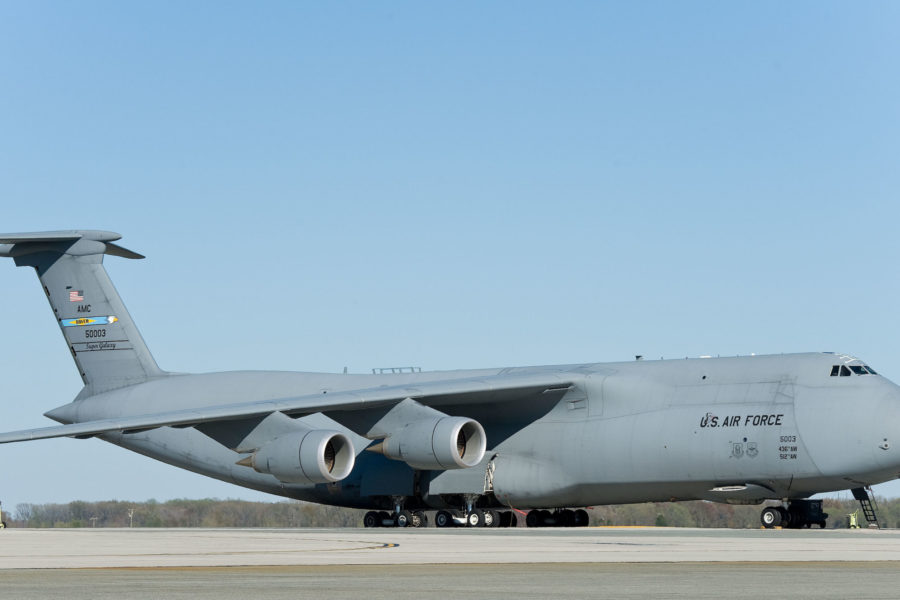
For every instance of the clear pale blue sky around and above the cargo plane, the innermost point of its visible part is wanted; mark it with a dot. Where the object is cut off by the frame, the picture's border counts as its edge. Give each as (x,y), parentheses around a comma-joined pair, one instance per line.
(320,185)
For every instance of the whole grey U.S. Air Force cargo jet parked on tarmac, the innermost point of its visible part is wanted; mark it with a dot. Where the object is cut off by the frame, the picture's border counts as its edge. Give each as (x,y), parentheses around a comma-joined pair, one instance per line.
(472,445)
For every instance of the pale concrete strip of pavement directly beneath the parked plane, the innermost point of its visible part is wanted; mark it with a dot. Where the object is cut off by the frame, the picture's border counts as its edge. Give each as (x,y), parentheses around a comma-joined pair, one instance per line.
(80,548)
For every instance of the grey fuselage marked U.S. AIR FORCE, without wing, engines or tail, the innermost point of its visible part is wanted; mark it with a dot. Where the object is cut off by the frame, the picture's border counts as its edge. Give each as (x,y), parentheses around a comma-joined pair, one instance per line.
(740,430)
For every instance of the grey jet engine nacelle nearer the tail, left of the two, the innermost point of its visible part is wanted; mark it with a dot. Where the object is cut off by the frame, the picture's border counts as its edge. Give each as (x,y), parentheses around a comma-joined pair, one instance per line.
(313,456)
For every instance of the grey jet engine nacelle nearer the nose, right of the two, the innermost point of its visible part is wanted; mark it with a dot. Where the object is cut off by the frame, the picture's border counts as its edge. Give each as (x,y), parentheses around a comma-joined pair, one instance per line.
(438,444)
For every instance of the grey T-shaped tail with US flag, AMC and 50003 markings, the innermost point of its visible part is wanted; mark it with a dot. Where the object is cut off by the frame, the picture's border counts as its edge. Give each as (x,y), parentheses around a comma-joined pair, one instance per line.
(107,347)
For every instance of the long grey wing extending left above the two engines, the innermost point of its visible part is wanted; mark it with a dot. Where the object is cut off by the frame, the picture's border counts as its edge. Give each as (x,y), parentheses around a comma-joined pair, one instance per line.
(432,393)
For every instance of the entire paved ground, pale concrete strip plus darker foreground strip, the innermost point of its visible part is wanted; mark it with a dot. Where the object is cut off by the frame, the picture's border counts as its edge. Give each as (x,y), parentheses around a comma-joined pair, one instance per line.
(395,563)
